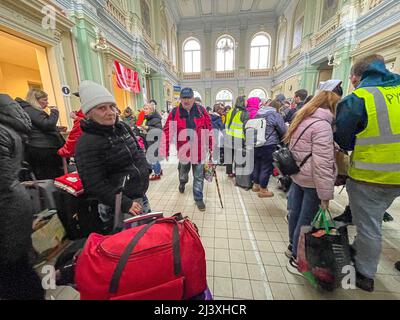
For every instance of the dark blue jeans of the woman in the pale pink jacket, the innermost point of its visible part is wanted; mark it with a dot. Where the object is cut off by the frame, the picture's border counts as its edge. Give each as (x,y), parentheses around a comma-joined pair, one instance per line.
(303,205)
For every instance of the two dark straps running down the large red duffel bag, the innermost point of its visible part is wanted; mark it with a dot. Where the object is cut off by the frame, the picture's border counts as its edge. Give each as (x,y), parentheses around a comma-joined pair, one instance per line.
(114,284)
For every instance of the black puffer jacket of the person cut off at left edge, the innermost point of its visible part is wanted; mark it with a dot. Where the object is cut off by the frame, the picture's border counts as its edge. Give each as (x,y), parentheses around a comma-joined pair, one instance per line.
(15,209)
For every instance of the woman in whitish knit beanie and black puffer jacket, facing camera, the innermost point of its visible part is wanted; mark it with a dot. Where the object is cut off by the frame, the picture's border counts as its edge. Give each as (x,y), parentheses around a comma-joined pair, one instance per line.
(107,152)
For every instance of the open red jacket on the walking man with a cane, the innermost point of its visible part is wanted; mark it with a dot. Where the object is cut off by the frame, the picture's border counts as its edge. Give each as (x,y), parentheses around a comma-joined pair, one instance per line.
(175,129)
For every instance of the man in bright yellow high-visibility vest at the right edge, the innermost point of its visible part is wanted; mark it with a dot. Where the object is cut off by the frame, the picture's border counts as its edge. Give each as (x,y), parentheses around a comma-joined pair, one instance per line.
(368,124)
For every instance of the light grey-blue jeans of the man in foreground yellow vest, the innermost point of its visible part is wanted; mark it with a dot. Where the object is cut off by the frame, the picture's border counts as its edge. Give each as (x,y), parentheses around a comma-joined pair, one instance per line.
(368,205)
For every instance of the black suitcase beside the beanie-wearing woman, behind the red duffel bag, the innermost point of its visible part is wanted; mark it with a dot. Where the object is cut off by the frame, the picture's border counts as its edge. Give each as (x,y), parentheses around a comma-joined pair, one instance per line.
(79,215)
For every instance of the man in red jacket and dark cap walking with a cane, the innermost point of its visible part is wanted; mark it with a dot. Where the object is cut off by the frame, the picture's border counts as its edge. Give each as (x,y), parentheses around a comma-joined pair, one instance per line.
(190,125)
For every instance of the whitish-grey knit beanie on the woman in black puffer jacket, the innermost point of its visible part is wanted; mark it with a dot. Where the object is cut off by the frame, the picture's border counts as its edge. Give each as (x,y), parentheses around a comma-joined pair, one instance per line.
(93,94)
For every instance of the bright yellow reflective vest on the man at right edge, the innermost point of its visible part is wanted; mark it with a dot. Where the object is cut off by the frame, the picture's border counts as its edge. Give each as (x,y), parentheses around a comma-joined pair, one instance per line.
(376,156)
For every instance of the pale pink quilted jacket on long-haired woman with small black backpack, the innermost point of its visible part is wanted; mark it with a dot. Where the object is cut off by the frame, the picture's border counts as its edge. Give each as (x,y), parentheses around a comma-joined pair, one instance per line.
(319,171)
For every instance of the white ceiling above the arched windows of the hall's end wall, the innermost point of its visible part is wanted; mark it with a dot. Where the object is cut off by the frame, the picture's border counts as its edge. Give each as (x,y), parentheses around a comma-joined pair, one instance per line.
(215,8)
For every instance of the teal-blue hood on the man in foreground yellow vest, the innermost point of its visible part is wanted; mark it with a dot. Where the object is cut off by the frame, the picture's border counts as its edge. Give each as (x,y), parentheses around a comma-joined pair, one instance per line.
(378,75)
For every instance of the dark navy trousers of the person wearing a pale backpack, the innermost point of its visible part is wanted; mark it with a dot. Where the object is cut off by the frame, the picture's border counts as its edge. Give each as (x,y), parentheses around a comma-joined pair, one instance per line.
(263,165)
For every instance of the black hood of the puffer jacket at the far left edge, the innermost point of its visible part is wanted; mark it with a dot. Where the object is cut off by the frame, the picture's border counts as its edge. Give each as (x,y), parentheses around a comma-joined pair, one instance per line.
(11,114)
